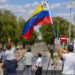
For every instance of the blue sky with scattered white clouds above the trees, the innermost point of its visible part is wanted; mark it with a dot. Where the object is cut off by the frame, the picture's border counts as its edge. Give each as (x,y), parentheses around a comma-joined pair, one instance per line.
(24,8)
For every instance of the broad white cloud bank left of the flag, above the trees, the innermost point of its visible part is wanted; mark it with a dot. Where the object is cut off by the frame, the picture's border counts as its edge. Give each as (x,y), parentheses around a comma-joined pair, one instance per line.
(21,10)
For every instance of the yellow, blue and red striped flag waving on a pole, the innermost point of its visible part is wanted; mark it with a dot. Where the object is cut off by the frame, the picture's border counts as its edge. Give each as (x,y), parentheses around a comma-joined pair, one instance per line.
(38,17)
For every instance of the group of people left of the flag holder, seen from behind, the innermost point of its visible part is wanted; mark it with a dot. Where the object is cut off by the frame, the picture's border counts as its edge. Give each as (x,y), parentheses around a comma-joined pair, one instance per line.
(9,63)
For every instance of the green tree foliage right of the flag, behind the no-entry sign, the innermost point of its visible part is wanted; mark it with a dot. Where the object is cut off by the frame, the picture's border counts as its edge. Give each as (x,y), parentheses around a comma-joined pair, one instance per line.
(47,30)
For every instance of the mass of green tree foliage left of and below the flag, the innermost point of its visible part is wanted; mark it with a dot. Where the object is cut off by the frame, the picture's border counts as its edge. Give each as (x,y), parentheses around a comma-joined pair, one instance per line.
(11,27)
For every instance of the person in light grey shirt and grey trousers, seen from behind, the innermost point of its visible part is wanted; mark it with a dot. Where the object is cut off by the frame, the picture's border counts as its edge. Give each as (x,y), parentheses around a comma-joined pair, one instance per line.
(28,60)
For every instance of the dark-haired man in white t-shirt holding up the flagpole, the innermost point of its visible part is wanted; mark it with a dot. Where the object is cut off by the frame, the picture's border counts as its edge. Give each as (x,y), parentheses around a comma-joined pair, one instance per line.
(69,59)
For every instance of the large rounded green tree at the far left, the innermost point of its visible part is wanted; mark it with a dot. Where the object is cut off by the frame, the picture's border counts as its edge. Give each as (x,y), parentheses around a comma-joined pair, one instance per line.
(9,26)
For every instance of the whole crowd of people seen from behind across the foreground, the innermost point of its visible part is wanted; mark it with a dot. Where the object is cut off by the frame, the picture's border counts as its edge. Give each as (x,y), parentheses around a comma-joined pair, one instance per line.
(9,63)
